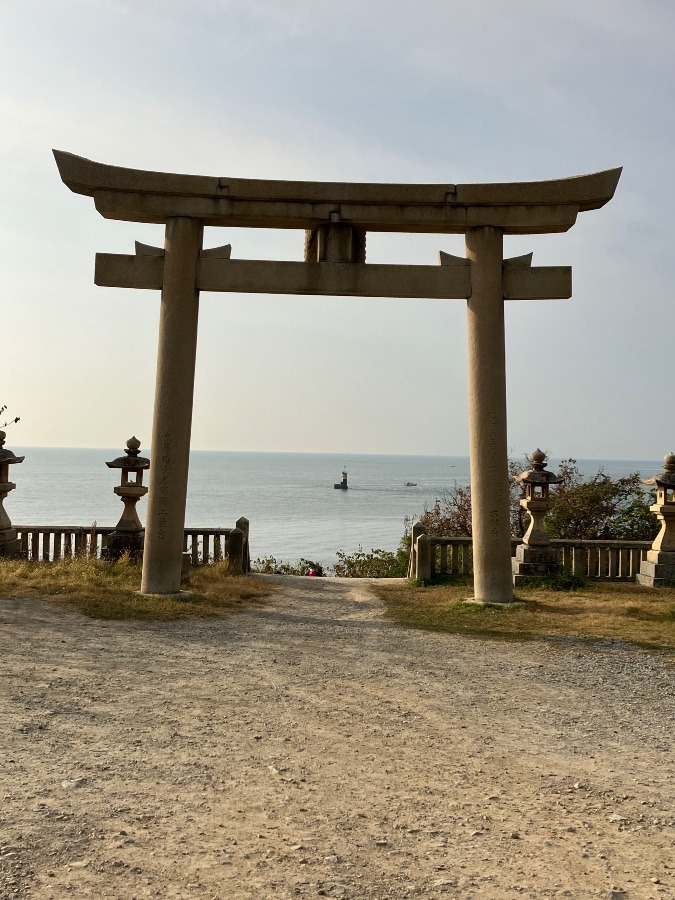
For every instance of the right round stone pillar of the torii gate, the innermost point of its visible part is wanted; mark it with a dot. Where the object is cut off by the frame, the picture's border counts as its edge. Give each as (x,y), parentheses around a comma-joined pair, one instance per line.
(487,417)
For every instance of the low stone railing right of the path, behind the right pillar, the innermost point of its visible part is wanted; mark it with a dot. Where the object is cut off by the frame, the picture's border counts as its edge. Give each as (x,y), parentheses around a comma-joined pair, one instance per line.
(595,560)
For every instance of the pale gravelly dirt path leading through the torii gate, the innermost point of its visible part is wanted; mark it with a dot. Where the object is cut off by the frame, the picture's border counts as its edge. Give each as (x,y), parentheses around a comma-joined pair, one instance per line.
(311,748)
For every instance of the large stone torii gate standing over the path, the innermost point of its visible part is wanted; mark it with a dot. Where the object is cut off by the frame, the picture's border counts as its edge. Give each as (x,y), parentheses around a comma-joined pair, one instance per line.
(335,217)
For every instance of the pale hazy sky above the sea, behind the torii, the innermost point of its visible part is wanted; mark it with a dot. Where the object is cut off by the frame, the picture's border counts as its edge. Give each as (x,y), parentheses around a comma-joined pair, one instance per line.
(362,90)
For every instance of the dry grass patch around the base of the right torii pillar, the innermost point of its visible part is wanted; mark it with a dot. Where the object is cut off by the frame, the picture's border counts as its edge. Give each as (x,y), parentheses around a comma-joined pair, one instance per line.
(624,612)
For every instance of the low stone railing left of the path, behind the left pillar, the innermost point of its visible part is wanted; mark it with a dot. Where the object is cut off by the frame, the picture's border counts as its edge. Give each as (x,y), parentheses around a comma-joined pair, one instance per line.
(203,545)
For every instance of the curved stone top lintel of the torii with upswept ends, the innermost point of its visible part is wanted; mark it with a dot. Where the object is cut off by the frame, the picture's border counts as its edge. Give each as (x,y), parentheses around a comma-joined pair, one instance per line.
(146,196)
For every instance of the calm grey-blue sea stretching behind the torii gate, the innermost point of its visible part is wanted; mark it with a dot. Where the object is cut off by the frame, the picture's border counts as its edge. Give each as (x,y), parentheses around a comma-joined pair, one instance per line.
(289,498)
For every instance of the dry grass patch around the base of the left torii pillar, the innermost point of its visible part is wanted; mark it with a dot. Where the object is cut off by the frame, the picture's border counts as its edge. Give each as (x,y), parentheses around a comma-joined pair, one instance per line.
(109,590)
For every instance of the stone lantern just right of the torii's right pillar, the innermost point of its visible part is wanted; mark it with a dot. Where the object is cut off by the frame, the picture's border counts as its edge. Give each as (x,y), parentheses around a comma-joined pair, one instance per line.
(535,557)
